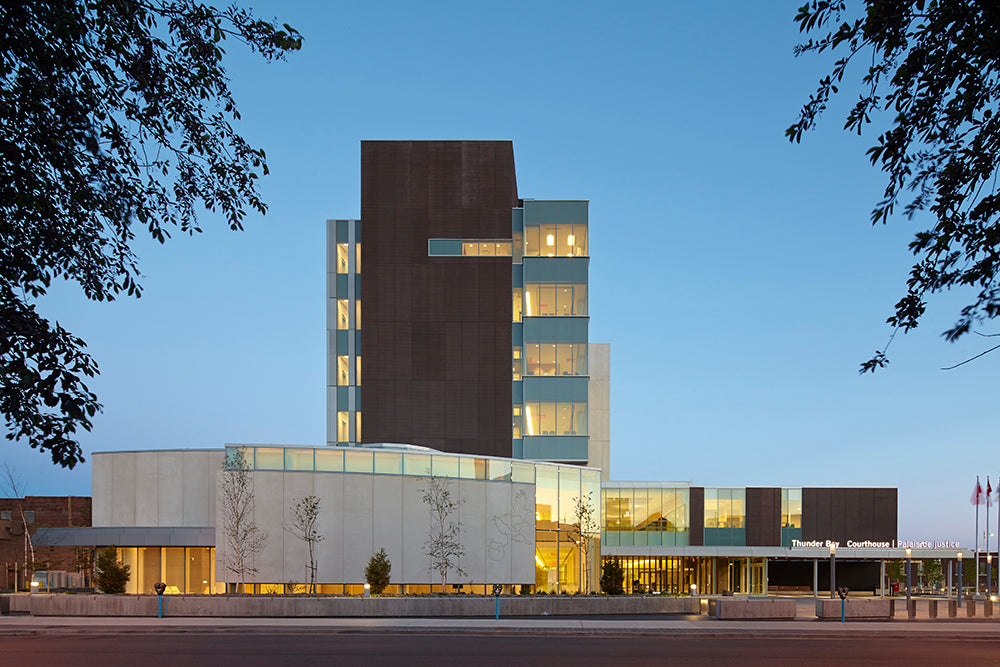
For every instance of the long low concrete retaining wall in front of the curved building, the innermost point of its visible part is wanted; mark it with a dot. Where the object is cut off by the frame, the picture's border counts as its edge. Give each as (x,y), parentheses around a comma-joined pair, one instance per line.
(261,606)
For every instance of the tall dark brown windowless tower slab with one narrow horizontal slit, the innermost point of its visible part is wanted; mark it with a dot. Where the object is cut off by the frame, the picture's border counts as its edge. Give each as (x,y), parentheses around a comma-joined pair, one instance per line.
(436,339)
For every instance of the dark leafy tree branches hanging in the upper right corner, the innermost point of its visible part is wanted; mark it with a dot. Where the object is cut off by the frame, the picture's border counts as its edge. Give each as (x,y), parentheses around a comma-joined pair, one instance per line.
(929,78)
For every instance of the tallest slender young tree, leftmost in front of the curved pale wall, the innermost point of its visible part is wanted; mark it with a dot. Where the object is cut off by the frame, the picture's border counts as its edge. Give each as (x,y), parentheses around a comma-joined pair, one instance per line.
(243,539)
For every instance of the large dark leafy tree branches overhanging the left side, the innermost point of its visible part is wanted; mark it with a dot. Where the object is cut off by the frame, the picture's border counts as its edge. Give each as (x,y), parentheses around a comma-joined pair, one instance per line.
(115,117)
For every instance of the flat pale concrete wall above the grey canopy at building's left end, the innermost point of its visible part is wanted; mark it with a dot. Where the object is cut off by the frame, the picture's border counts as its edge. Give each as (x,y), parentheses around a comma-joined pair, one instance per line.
(164,488)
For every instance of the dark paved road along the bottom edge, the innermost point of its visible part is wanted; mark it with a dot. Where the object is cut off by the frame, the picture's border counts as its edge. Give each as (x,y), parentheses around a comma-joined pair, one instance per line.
(413,649)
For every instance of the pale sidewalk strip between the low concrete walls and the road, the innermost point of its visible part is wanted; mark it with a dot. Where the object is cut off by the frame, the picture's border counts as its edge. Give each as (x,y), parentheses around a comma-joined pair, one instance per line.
(700,626)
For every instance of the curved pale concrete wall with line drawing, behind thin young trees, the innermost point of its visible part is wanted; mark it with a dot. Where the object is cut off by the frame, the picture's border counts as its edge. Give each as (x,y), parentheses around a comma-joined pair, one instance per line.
(359,514)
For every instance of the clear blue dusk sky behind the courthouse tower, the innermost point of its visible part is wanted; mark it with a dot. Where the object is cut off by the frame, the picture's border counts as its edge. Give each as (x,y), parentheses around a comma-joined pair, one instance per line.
(736,275)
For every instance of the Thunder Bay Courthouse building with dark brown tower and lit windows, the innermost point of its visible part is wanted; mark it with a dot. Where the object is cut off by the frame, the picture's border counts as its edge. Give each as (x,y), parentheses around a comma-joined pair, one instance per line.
(458,347)
